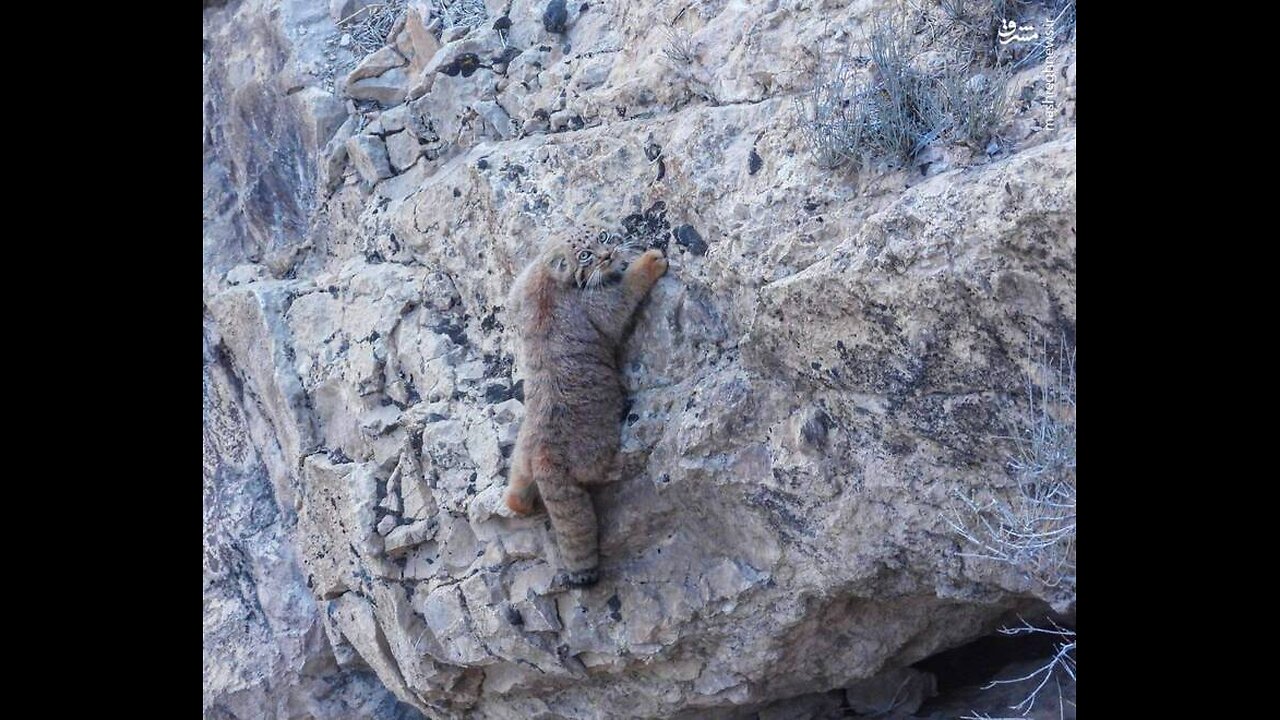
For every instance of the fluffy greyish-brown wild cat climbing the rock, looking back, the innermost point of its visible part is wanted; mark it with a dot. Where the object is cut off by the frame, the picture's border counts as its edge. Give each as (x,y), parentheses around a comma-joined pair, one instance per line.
(572,307)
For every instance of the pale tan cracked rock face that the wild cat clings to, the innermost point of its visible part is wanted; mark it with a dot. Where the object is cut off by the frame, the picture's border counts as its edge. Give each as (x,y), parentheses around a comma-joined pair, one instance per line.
(829,361)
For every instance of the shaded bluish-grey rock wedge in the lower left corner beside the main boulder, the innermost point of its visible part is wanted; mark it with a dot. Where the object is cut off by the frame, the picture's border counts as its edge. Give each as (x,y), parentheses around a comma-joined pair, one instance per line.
(266,649)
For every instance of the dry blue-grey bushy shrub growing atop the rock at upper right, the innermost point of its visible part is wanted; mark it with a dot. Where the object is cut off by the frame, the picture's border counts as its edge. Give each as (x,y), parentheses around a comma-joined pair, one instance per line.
(934,75)
